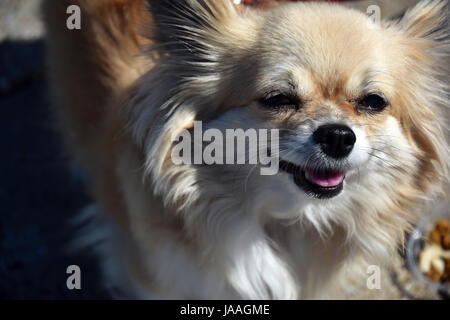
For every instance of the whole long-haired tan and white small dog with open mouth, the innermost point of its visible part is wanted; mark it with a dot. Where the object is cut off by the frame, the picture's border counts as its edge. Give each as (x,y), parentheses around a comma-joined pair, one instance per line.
(359,111)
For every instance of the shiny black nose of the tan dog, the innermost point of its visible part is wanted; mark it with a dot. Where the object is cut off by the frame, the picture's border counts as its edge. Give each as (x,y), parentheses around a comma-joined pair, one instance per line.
(336,140)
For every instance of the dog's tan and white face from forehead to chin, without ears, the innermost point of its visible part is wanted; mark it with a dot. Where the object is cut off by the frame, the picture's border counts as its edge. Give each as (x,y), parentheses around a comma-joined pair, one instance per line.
(326,78)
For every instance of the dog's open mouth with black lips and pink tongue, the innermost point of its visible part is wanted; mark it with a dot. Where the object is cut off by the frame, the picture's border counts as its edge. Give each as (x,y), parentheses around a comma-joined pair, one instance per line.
(318,183)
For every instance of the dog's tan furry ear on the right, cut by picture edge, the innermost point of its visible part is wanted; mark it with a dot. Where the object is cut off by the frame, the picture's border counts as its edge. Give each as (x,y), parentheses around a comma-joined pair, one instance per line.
(427,52)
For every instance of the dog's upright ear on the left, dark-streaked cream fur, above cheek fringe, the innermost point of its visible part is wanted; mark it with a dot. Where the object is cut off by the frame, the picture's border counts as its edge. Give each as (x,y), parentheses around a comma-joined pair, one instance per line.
(195,39)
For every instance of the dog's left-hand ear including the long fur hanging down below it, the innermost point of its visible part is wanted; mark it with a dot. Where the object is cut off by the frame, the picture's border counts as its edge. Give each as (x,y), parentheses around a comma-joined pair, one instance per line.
(195,40)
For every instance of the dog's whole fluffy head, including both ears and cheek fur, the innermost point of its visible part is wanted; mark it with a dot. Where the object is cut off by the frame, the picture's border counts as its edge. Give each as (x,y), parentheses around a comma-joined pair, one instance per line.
(356,105)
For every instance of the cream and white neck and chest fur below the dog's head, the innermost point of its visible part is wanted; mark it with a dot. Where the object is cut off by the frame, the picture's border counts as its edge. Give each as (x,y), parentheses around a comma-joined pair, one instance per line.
(252,259)
